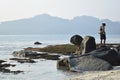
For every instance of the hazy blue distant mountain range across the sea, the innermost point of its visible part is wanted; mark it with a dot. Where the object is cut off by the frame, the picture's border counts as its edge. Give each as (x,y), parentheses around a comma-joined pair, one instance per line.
(46,24)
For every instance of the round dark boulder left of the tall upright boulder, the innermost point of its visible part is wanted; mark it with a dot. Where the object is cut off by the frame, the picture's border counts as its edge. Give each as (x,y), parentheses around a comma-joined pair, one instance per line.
(76,40)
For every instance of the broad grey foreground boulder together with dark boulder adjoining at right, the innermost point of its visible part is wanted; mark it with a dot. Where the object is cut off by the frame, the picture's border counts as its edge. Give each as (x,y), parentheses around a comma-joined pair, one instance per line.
(99,59)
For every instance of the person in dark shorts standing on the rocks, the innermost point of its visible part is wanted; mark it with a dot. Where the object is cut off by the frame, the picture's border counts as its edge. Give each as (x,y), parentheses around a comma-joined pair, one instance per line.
(102,34)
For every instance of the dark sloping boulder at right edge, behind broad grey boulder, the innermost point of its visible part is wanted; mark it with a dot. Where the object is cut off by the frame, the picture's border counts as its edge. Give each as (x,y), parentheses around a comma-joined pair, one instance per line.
(107,54)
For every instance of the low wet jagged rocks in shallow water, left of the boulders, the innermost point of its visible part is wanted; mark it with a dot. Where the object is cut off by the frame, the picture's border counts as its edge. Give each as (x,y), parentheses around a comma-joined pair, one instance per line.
(25,56)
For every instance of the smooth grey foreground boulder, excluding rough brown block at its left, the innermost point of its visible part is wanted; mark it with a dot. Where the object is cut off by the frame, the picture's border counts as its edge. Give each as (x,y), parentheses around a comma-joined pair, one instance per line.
(89,63)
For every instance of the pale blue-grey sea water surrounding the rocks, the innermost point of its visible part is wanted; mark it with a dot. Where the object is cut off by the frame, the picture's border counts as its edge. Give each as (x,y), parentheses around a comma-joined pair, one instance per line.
(43,69)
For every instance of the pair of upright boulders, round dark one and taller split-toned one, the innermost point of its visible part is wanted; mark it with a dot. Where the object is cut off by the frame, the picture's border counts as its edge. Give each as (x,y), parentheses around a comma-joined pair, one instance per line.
(84,45)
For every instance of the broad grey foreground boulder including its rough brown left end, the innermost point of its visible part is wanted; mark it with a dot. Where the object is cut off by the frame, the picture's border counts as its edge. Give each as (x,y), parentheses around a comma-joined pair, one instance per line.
(83,63)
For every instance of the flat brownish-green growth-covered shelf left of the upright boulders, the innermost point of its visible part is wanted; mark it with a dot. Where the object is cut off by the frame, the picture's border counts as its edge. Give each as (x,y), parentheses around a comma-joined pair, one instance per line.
(63,49)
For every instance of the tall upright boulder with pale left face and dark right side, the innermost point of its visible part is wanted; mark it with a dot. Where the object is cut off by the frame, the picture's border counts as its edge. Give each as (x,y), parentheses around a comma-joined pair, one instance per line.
(88,44)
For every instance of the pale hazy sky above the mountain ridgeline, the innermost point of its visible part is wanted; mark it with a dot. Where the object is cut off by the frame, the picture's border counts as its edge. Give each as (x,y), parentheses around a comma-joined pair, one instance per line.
(67,9)
